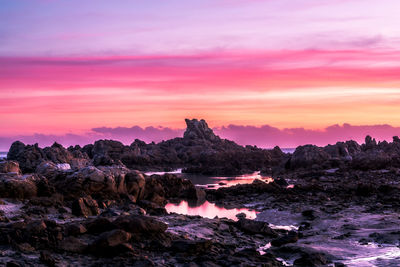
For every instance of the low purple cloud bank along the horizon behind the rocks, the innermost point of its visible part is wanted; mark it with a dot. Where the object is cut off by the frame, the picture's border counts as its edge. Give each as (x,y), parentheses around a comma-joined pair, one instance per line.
(265,136)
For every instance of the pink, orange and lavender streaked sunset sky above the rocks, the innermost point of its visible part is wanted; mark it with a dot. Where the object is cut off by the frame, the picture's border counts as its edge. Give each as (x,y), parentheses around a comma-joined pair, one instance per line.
(70,67)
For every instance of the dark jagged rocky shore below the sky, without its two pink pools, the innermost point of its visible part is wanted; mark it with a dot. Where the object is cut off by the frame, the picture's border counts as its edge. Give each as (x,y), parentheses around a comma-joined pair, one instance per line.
(94,206)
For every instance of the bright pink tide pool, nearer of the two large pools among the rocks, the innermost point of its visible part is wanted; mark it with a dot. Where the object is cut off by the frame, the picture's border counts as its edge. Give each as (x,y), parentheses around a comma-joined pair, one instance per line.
(208,210)
